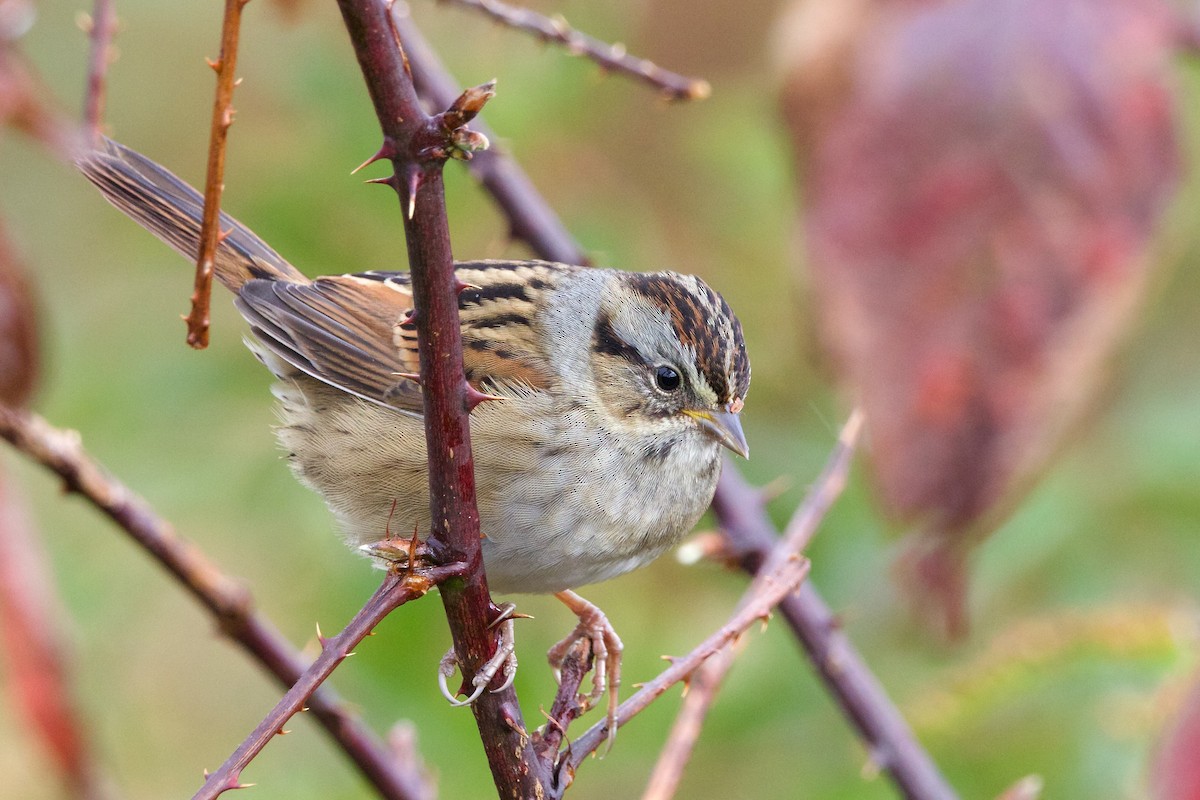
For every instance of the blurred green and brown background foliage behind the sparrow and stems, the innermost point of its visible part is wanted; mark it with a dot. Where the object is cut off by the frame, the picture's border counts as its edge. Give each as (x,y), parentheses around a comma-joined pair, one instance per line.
(1083,640)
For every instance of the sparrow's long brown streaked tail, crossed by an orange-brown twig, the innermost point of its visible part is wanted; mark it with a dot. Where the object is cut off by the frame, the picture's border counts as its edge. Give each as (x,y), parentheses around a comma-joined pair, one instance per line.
(172,210)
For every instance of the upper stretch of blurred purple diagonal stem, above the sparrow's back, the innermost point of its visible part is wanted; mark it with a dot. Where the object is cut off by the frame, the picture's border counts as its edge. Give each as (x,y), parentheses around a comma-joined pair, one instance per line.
(530,216)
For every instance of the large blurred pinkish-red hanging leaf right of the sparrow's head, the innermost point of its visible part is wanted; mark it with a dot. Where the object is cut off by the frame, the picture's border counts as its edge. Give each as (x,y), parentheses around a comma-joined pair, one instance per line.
(983,181)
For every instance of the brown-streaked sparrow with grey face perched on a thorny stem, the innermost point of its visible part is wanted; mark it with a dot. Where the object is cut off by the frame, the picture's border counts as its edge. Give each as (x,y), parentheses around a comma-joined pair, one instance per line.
(619,394)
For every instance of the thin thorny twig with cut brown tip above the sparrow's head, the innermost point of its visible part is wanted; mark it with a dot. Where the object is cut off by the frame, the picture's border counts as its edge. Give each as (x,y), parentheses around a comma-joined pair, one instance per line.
(610,57)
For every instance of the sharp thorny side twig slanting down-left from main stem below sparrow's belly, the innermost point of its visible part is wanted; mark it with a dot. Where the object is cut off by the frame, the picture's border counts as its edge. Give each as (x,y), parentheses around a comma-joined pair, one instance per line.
(398,590)
